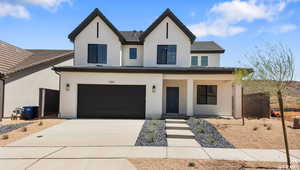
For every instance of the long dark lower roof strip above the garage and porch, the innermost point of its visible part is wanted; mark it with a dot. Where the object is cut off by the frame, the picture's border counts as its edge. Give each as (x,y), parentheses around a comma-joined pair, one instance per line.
(136,69)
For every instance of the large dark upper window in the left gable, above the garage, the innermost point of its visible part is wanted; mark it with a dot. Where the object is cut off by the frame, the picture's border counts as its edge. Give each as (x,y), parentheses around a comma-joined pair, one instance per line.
(97,53)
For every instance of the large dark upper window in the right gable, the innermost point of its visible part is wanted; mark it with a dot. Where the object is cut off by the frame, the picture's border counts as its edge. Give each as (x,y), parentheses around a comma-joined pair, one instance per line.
(166,54)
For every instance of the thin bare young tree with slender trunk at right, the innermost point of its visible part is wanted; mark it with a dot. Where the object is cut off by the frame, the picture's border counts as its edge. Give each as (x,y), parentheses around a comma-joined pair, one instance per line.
(273,71)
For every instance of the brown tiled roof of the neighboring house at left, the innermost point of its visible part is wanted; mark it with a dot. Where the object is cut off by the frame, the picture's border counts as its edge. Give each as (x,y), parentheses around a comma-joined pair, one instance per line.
(14,60)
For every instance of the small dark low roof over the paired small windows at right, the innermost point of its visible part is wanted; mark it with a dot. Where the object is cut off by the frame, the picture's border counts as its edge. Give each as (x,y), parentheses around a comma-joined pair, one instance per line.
(206,47)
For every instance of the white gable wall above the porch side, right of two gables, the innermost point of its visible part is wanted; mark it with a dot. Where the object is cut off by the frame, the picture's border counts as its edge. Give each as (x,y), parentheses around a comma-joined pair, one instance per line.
(158,37)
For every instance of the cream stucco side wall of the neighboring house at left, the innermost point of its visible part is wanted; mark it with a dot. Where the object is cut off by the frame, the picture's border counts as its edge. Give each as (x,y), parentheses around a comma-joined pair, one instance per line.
(25,91)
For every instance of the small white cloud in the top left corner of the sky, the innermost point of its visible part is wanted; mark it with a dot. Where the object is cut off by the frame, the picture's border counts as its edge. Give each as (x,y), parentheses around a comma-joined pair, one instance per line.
(17,11)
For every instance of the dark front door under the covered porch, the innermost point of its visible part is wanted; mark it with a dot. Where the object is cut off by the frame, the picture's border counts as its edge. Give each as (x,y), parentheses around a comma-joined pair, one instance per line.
(172,99)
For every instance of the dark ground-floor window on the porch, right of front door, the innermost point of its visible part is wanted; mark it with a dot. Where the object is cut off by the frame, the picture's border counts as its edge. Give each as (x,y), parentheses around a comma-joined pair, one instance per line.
(207,94)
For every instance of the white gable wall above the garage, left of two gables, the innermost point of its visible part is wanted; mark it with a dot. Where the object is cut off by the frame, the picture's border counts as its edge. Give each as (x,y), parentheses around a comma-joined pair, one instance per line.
(89,36)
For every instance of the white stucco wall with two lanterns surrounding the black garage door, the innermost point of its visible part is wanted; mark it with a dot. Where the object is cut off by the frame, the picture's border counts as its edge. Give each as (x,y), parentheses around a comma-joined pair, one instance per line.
(68,102)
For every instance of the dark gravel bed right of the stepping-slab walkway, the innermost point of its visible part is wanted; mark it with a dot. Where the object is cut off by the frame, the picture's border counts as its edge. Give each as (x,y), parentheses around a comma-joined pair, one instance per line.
(207,135)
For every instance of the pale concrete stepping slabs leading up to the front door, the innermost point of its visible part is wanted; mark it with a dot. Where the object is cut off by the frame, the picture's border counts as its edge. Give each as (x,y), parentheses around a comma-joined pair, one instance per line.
(179,133)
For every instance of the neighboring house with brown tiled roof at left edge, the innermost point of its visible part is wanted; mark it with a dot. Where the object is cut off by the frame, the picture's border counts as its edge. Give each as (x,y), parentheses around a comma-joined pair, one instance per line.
(23,72)
